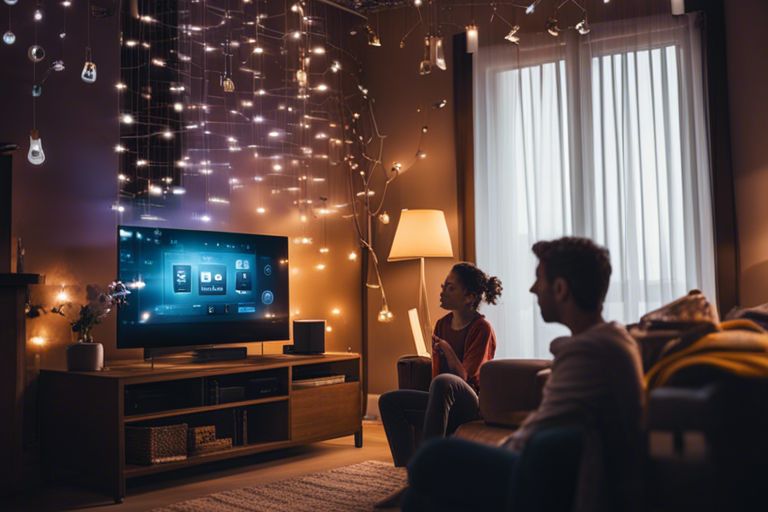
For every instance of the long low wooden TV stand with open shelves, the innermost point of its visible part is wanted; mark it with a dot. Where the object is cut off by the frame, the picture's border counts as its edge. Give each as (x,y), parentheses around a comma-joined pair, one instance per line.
(84,415)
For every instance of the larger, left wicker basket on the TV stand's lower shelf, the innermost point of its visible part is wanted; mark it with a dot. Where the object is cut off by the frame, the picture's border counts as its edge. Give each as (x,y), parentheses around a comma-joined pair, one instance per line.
(155,445)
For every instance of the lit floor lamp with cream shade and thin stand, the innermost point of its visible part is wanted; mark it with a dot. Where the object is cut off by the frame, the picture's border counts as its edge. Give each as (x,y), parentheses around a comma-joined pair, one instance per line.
(421,234)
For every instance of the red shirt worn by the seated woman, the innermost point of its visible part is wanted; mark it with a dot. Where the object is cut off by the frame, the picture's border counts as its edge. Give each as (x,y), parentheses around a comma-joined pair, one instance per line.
(474,345)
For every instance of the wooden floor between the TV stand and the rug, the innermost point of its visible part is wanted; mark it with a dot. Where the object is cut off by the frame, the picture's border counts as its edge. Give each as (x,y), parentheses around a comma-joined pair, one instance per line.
(165,489)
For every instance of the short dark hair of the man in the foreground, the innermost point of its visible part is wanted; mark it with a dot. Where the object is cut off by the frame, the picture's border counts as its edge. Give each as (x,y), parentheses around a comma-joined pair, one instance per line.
(583,264)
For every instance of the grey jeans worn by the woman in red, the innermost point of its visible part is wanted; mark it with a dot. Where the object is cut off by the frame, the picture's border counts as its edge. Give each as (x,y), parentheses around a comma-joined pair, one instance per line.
(449,403)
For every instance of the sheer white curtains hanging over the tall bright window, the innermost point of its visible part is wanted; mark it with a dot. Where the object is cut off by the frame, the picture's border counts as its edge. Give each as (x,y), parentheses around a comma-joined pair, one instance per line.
(601,136)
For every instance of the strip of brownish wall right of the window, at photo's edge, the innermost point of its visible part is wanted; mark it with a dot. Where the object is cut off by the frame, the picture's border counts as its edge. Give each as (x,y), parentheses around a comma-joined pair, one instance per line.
(747,53)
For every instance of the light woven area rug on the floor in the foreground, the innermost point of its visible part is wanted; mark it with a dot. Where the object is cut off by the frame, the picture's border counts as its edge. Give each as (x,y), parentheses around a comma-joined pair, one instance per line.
(349,488)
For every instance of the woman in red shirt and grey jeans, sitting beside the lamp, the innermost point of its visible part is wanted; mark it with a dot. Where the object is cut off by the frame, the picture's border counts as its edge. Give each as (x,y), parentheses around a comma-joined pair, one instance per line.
(462,341)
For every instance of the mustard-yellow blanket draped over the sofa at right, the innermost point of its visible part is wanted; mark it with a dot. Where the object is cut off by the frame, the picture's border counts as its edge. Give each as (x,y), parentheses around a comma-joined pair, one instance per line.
(739,347)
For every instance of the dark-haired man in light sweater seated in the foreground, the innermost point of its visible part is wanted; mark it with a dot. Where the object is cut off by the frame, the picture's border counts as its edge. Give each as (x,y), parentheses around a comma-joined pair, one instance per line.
(596,382)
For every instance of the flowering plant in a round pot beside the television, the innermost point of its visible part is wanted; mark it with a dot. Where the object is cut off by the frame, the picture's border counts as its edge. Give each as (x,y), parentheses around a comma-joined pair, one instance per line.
(86,355)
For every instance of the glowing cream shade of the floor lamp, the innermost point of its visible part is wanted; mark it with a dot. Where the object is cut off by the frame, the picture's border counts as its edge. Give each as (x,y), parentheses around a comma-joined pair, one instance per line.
(421,234)
